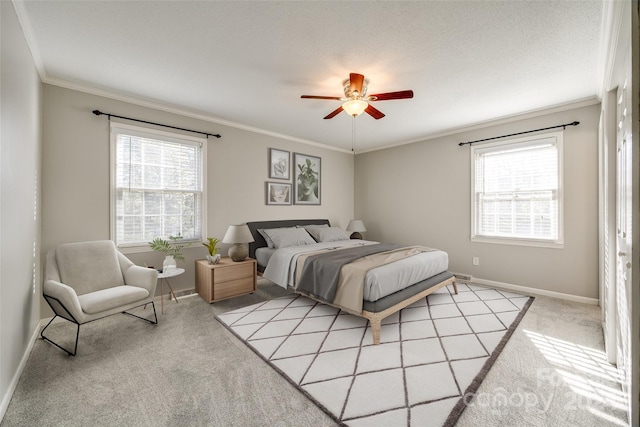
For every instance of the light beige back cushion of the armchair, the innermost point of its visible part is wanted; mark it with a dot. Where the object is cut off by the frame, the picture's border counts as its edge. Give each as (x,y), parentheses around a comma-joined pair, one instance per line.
(89,266)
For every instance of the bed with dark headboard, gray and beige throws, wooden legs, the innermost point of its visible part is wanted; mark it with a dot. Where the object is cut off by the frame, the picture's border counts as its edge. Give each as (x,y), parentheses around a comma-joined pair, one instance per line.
(375,279)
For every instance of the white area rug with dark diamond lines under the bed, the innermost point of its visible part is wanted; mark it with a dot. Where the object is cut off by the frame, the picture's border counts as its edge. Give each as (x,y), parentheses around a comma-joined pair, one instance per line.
(431,359)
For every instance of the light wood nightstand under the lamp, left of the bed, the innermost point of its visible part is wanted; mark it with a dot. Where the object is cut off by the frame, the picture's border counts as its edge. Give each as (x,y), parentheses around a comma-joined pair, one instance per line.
(227,279)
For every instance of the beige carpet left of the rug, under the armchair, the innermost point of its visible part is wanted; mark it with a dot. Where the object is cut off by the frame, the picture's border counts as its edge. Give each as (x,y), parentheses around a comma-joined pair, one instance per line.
(186,371)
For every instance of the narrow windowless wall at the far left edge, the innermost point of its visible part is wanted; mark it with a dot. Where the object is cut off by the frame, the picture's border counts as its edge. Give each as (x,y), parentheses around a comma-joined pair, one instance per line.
(20,145)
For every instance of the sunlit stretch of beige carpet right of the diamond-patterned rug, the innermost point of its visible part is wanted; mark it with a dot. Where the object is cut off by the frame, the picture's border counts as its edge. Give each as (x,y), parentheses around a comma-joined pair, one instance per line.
(552,372)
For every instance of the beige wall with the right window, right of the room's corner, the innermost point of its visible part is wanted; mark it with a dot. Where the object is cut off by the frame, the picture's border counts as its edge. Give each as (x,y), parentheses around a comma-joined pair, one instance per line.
(420,193)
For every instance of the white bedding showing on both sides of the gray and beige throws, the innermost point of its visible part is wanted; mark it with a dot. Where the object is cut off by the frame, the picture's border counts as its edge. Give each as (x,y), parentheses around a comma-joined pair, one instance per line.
(379,282)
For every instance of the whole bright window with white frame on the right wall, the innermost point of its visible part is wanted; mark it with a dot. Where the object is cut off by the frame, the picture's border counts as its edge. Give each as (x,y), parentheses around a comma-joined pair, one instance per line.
(517,191)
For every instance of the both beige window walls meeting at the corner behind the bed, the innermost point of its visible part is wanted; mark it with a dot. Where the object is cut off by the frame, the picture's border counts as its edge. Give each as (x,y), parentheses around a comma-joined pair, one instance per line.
(416,193)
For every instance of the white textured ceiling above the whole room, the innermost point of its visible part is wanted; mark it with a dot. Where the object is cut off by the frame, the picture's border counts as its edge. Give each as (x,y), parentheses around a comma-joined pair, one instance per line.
(247,63)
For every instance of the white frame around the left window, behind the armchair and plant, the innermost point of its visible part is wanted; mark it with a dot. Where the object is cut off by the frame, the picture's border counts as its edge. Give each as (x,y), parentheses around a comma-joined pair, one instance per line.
(123,128)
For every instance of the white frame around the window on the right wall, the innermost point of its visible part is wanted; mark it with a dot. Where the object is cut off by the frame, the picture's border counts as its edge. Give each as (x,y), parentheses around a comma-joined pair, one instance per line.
(539,139)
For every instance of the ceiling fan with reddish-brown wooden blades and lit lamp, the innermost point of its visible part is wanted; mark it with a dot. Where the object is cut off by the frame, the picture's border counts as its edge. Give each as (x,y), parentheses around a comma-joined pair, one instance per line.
(356,101)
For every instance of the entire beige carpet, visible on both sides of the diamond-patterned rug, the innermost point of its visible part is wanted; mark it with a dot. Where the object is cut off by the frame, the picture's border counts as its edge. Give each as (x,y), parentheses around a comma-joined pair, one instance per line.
(190,370)
